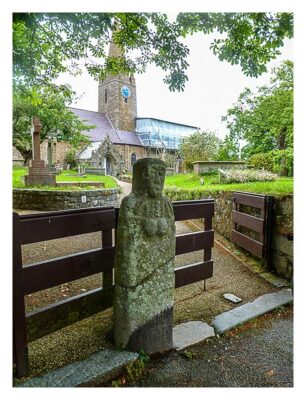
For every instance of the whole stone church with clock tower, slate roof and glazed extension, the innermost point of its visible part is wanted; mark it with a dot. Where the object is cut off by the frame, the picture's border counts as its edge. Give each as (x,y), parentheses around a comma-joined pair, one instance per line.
(120,137)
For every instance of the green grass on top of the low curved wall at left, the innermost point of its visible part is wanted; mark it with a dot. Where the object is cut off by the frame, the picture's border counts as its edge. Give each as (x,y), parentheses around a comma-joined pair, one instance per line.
(65,176)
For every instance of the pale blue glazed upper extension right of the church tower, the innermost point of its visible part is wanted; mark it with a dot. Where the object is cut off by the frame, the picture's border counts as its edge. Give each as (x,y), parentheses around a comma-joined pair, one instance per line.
(157,133)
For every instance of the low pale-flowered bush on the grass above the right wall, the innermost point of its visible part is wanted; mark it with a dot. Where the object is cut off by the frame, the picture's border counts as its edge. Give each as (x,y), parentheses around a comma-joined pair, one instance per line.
(246,175)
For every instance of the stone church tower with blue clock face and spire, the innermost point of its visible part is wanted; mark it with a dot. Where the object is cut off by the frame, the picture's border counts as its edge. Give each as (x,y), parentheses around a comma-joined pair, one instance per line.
(117,96)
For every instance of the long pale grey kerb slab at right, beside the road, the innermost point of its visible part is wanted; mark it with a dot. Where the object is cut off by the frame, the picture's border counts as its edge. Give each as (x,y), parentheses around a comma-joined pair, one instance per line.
(254,309)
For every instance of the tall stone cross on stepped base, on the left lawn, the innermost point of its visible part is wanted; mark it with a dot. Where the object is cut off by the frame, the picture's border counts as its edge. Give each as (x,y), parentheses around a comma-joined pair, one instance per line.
(39,173)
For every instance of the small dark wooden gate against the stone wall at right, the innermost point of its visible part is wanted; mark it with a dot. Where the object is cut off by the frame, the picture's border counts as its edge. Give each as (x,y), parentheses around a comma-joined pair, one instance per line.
(256,235)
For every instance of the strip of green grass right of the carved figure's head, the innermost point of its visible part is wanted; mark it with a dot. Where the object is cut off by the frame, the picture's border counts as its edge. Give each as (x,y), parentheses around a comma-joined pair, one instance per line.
(192,181)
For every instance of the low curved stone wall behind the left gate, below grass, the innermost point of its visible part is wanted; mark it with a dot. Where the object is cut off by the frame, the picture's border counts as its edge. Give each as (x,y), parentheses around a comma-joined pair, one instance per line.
(52,200)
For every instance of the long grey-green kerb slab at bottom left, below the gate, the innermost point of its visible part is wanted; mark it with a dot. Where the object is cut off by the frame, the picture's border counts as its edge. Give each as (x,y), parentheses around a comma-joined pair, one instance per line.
(98,368)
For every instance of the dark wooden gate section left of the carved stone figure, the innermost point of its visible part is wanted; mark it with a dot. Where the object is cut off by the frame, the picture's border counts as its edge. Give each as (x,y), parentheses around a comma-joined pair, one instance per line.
(33,228)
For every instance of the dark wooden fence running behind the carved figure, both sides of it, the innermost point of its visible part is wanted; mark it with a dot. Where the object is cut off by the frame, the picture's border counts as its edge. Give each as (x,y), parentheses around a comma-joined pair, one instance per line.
(29,279)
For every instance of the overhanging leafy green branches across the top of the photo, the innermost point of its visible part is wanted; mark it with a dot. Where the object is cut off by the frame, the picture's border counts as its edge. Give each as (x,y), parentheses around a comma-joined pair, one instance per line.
(45,45)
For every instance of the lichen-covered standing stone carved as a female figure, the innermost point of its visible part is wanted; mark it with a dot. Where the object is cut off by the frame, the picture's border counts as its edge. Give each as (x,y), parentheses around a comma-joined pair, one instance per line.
(144,263)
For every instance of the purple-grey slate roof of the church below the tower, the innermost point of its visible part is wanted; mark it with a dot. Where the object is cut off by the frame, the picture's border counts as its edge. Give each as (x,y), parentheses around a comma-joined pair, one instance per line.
(104,128)
